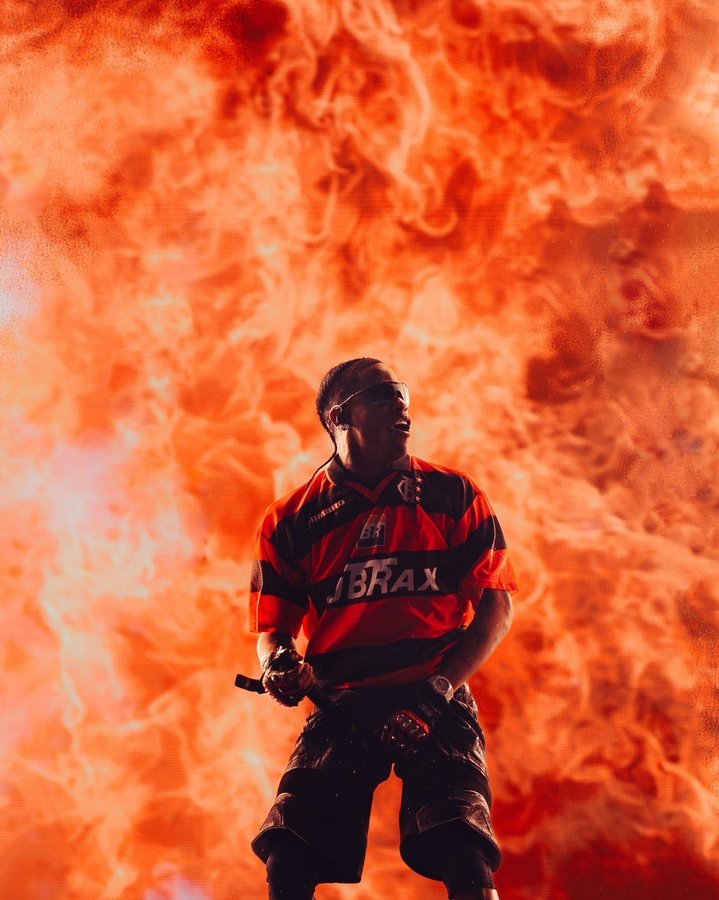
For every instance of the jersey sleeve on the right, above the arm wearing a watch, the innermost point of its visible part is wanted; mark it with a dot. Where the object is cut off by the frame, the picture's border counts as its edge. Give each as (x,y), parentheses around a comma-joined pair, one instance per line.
(479,548)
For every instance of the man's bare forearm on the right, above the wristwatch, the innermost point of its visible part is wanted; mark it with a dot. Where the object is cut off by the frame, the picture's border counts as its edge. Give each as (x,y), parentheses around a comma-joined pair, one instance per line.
(490,624)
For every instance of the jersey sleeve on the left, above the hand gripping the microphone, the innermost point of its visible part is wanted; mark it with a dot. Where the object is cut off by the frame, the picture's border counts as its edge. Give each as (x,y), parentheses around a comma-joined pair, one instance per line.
(278,595)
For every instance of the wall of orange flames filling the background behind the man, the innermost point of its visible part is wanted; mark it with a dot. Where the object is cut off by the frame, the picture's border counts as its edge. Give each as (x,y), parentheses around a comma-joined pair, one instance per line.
(205,205)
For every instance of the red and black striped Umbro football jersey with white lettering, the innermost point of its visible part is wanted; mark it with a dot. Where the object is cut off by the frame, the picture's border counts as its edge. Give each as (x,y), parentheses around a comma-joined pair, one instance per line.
(383,579)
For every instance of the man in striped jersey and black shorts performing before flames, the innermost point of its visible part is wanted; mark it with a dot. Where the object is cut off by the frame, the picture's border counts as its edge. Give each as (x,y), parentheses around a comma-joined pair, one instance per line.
(398,571)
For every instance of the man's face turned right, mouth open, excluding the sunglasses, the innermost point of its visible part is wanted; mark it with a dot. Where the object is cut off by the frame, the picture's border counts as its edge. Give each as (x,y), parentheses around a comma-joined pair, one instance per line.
(377,430)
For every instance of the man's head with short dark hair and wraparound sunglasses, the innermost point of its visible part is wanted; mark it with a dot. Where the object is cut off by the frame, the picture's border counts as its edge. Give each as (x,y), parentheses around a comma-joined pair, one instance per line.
(365,422)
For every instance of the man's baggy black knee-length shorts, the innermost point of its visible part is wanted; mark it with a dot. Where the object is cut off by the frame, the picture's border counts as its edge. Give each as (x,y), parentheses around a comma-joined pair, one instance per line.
(325,795)
